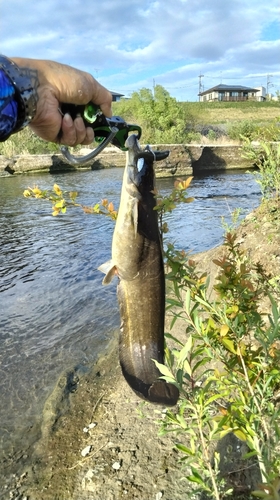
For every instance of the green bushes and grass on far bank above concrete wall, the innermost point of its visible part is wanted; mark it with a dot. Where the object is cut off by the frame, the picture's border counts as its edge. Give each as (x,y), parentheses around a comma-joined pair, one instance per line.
(165,120)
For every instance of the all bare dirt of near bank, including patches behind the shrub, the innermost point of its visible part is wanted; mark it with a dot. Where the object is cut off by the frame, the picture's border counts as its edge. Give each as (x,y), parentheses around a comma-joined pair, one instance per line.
(124,457)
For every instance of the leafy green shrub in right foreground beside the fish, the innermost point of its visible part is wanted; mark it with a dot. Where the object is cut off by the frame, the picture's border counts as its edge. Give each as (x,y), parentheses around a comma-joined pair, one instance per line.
(225,362)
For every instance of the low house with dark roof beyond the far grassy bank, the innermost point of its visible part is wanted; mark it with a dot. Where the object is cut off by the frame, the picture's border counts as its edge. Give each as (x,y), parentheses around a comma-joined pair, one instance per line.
(231,93)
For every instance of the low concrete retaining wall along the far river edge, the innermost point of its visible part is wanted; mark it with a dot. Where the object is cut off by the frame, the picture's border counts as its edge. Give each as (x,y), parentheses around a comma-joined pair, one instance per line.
(184,159)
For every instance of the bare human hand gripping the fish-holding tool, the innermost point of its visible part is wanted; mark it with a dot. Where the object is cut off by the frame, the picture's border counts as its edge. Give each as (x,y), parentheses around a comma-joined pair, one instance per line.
(59,83)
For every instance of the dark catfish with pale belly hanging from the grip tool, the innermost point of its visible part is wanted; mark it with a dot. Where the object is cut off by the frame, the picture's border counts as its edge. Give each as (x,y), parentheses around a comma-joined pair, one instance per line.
(138,262)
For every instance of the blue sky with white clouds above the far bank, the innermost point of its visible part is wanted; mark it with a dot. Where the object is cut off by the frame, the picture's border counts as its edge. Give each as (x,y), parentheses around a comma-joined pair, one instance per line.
(130,44)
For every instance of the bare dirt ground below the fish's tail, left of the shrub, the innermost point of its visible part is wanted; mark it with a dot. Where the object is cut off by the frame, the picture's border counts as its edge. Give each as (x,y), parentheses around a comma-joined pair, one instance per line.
(125,457)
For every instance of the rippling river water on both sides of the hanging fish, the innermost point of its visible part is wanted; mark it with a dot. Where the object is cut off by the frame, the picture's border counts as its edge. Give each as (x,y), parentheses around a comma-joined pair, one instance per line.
(54,312)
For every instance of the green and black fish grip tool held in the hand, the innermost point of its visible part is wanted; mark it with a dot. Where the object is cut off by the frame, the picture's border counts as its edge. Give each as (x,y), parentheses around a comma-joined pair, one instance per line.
(112,130)
